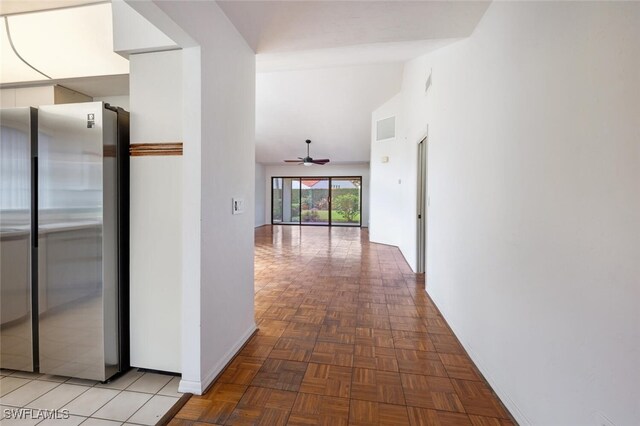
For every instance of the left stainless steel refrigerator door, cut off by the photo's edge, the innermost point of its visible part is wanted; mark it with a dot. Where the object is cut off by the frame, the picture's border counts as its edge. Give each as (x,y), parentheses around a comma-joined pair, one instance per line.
(16,323)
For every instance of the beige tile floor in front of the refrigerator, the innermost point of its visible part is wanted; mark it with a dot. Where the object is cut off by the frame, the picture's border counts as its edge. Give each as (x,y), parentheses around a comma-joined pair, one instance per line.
(135,398)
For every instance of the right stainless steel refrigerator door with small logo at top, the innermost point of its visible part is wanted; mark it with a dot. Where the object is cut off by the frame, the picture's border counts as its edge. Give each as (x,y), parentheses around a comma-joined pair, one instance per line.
(77,271)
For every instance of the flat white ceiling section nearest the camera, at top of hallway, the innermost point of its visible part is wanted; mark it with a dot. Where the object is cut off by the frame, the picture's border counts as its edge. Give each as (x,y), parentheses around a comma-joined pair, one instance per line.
(277,26)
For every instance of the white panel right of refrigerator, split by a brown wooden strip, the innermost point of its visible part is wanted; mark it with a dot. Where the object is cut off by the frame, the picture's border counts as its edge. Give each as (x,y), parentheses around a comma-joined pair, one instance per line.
(156,94)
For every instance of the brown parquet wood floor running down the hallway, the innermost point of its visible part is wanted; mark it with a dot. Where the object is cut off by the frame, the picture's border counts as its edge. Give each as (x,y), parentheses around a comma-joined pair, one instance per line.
(347,336)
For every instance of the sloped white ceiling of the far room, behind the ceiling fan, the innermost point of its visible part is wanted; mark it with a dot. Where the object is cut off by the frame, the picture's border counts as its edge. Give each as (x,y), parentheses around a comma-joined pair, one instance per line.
(330,106)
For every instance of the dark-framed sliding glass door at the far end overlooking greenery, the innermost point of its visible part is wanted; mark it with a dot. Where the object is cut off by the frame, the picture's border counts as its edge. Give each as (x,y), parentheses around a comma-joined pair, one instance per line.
(316,201)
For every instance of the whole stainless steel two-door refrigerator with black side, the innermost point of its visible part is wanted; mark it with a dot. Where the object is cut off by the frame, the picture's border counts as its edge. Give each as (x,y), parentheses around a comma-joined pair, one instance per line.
(64,222)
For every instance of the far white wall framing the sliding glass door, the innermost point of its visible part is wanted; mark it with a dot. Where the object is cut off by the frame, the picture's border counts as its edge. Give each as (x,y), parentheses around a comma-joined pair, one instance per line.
(324,171)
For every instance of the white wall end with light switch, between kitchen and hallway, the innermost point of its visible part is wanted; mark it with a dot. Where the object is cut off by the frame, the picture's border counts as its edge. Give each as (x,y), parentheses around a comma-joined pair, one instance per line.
(220,299)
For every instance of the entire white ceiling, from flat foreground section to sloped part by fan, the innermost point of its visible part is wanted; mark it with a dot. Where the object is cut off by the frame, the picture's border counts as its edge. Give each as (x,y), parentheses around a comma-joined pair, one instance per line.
(324,66)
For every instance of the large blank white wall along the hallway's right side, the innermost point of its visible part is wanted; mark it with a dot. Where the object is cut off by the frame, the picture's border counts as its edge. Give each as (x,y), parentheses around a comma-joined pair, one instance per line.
(534,218)
